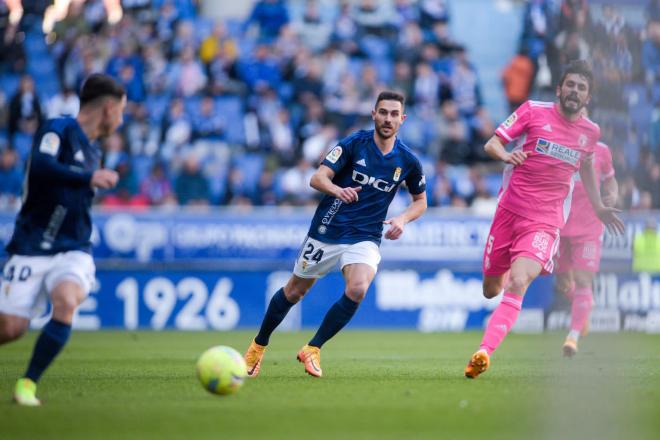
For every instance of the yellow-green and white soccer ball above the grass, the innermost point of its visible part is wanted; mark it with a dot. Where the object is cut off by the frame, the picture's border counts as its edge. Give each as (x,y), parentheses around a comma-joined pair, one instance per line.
(221,370)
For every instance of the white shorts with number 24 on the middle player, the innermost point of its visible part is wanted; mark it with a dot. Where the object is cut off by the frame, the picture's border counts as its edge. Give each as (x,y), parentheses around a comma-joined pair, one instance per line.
(317,258)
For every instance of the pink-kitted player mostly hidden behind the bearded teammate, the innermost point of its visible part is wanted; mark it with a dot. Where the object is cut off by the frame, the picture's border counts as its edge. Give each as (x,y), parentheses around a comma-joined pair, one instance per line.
(578,258)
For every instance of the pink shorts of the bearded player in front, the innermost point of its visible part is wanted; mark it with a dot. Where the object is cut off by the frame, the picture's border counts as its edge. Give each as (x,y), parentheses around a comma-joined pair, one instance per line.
(512,236)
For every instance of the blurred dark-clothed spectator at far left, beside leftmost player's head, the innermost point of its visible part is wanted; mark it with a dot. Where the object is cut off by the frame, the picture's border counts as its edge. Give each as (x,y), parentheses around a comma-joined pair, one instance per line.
(24,109)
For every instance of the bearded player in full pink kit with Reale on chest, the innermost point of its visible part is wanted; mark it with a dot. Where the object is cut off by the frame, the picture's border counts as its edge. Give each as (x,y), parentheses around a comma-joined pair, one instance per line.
(554,140)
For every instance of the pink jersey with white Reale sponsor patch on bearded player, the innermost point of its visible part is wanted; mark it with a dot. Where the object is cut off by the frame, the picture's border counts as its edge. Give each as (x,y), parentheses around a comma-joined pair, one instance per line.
(540,189)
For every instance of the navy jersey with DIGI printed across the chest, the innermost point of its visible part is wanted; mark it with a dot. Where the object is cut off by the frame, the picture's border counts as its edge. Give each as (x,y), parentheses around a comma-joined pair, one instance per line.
(357,161)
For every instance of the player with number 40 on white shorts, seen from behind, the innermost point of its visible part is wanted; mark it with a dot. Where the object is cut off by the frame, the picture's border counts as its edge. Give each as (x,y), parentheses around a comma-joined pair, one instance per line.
(50,250)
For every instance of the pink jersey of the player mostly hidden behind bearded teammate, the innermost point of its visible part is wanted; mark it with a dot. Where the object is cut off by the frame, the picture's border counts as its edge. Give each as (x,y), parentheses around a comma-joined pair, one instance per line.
(582,221)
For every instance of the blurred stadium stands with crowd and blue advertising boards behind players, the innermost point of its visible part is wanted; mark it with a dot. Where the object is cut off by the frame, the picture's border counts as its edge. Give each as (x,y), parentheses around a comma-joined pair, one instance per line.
(232,105)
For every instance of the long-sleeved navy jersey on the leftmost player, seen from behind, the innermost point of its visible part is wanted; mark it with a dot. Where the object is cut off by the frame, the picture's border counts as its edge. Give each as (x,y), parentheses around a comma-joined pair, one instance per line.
(57,196)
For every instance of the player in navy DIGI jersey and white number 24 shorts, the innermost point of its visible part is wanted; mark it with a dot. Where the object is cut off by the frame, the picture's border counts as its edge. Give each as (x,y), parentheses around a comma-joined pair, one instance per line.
(359,178)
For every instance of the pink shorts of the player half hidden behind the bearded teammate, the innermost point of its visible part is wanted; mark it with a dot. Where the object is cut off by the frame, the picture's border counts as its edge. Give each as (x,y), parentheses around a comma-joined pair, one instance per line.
(579,253)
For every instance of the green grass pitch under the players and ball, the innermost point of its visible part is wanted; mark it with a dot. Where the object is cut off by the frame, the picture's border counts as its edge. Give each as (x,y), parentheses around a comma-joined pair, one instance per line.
(377,385)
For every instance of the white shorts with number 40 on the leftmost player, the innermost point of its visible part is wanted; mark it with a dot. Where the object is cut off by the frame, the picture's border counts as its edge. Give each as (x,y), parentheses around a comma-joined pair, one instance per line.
(28,280)
